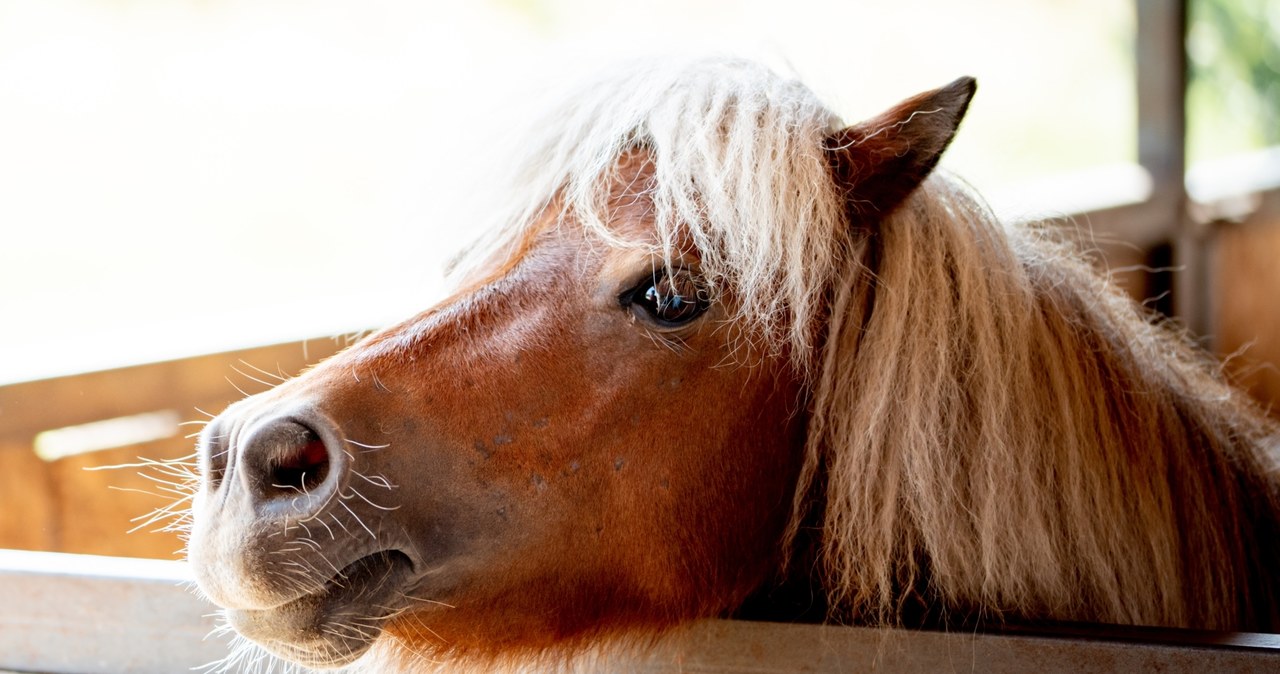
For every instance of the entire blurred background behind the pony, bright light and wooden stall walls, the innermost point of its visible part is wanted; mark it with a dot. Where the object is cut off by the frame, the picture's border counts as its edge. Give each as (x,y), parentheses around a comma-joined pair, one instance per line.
(182,178)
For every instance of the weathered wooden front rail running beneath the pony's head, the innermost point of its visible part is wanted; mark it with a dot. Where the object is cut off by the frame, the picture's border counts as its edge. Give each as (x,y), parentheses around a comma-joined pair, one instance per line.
(77,615)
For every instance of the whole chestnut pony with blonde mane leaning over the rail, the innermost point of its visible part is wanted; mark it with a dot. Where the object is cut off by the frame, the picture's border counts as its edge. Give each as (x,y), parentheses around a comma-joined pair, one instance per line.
(725,356)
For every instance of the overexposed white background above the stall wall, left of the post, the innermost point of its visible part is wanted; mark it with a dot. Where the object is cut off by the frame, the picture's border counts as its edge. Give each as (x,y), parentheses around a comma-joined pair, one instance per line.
(190,176)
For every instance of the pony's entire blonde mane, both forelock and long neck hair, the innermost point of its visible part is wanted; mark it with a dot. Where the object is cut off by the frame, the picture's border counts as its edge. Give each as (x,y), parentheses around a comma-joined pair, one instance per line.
(994,429)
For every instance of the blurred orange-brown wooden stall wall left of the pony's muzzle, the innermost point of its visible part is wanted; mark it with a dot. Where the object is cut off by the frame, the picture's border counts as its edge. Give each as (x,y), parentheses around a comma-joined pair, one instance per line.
(71,505)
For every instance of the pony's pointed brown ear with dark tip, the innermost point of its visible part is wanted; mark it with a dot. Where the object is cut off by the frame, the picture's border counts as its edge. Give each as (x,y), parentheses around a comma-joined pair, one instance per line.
(883,161)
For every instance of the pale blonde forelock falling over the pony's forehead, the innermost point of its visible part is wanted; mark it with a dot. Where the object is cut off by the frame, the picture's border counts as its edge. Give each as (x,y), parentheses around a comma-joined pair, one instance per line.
(740,172)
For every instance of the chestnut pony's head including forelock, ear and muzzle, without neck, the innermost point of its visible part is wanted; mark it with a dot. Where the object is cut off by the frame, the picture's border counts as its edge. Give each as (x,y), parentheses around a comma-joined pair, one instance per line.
(604,429)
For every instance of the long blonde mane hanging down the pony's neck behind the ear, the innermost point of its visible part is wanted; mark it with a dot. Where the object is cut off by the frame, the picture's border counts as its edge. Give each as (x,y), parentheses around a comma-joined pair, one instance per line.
(1003,433)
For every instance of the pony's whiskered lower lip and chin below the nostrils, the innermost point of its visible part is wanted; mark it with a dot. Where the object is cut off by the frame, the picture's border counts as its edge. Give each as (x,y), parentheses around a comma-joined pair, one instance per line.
(339,623)
